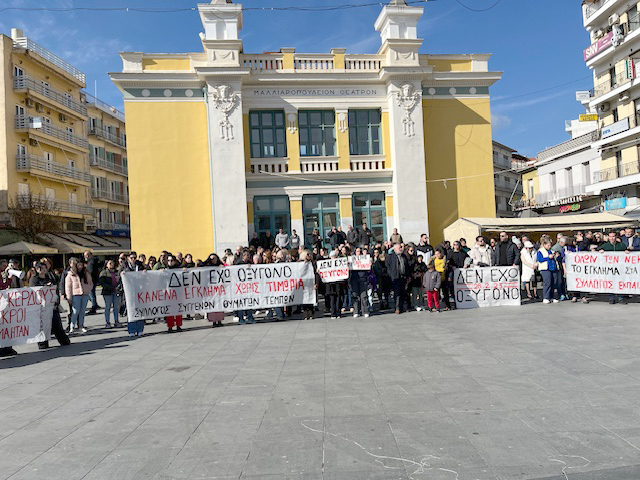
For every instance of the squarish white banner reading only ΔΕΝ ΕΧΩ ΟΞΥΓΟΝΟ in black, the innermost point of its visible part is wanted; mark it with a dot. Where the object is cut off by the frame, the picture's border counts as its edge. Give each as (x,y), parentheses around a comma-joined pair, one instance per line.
(486,287)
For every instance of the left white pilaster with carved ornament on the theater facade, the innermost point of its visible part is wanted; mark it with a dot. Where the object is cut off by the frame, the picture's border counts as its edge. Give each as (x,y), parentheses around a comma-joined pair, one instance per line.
(226,156)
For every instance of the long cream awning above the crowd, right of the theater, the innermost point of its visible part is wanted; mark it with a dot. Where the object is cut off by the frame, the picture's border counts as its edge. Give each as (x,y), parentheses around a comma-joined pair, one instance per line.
(470,228)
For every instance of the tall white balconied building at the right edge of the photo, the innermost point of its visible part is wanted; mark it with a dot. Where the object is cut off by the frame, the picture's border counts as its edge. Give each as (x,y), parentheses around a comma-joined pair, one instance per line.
(614,58)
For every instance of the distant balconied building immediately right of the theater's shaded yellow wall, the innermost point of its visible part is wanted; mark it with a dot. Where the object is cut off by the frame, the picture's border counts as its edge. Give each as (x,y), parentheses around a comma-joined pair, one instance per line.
(507,179)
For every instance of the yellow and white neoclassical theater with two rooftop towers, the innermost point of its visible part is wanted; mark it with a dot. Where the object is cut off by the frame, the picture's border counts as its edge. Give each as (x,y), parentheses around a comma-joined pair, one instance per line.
(224,143)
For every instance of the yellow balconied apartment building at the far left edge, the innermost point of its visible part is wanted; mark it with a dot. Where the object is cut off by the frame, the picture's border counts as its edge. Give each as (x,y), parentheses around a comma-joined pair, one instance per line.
(43,138)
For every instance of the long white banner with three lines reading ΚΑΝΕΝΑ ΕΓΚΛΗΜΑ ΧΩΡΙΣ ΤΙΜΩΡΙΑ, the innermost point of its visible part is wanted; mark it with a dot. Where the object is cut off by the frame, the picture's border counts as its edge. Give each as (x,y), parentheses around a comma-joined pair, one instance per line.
(163,293)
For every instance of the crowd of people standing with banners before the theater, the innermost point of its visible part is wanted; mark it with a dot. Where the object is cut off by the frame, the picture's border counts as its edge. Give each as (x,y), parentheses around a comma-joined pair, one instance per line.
(411,276)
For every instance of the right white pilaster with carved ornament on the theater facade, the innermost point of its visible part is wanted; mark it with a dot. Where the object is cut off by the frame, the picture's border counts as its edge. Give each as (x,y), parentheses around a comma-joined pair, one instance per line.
(410,213)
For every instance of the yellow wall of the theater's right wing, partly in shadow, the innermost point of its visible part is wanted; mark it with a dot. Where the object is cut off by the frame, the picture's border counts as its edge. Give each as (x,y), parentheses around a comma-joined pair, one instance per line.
(458,143)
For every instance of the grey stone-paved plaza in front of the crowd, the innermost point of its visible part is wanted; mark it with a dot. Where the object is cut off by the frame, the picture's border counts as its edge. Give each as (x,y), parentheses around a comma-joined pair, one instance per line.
(532,392)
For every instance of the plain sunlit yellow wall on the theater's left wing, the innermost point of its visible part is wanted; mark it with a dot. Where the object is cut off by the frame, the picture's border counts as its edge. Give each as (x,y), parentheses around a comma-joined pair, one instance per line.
(169,177)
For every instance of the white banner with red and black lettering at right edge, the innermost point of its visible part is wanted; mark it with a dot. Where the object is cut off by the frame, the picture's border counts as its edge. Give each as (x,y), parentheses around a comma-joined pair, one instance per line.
(609,272)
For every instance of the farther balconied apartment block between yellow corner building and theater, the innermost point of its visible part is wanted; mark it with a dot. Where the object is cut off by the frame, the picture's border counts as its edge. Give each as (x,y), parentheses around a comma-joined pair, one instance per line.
(109,167)
